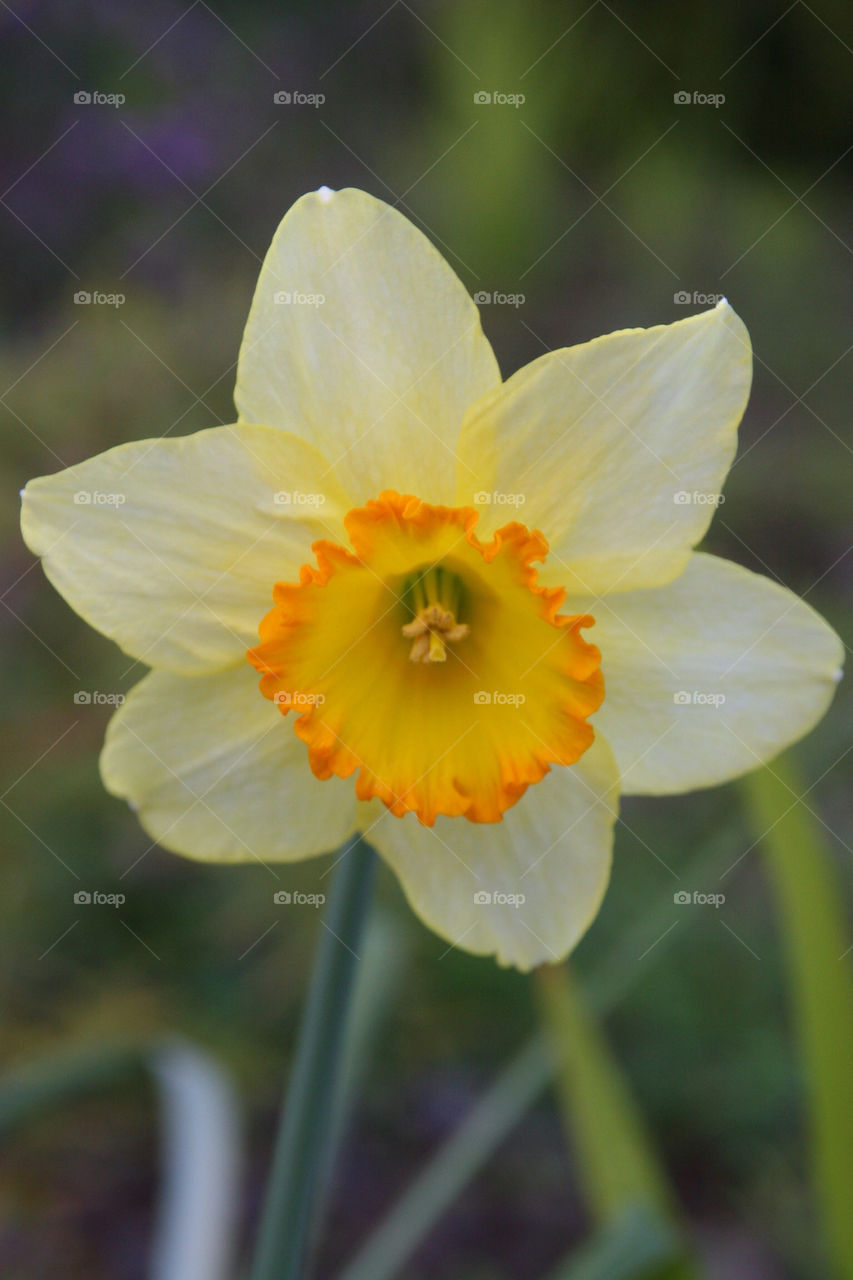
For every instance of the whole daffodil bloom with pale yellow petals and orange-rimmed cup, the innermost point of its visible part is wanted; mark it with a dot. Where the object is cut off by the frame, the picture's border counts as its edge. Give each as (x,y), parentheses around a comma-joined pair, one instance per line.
(417,556)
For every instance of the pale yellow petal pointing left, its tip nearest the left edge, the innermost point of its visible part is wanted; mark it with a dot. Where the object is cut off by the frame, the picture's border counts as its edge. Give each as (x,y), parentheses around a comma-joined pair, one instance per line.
(171,547)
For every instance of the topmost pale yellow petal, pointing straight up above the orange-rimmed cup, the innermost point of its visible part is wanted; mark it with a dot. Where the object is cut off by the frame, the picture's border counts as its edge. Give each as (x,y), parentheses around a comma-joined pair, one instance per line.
(375,351)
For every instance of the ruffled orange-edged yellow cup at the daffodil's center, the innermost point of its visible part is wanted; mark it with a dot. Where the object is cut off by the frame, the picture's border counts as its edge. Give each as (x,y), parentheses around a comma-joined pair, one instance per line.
(494,691)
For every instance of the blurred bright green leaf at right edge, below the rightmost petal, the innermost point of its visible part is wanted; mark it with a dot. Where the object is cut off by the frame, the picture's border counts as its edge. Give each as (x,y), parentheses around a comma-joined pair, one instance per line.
(814,934)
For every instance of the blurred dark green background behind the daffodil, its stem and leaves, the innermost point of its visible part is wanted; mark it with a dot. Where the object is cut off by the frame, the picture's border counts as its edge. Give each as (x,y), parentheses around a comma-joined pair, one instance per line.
(604,202)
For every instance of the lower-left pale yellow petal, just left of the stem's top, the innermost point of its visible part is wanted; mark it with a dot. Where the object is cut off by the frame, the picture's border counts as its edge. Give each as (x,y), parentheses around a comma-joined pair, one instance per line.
(216,774)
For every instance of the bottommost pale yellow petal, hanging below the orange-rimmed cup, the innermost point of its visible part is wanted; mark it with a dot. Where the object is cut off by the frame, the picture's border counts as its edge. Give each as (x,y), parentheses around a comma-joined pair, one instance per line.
(553,851)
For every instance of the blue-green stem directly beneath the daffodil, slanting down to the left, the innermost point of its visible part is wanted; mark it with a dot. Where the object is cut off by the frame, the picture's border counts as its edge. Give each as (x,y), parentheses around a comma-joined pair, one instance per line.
(305,1142)
